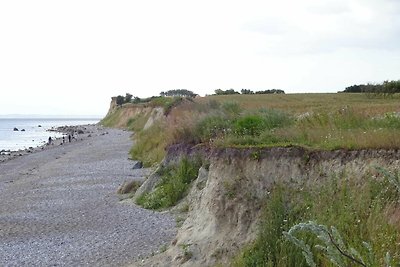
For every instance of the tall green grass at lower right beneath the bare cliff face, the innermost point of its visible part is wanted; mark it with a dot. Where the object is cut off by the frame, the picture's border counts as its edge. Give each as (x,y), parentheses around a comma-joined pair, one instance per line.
(361,213)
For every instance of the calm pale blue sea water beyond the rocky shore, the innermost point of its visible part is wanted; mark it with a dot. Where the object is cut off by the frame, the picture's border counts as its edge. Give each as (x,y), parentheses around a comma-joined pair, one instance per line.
(33,135)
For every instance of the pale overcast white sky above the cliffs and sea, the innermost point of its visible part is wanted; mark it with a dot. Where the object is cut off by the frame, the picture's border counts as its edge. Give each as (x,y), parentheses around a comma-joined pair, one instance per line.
(70,57)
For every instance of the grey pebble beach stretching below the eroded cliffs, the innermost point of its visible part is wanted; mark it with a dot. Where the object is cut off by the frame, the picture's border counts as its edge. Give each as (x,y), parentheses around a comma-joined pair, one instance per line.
(59,205)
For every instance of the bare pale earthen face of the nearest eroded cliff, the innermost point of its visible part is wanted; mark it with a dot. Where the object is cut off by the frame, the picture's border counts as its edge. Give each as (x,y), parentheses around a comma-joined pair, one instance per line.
(225,200)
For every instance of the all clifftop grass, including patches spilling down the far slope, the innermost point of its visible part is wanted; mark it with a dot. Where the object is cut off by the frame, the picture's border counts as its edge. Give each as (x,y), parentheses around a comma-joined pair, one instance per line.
(319,121)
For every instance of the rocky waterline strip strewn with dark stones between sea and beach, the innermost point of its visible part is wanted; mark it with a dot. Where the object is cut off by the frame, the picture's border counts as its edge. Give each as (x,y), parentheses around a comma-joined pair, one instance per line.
(78,132)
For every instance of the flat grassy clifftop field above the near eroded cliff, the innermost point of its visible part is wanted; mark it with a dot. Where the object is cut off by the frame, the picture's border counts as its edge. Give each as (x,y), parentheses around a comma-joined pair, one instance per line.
(352,124)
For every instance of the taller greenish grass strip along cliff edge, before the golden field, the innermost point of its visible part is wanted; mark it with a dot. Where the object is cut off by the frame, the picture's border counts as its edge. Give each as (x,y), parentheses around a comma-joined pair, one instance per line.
(343,128)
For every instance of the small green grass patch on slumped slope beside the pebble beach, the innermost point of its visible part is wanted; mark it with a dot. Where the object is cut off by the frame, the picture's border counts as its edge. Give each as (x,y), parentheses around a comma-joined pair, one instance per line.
(175,183)
